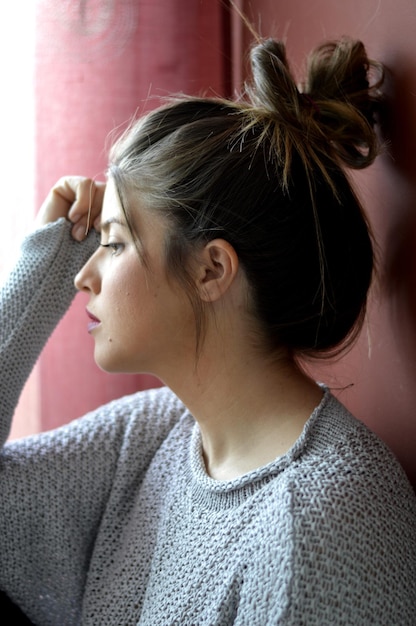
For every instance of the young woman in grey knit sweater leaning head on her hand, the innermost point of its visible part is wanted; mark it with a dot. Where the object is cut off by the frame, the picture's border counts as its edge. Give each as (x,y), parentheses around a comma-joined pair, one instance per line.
(242,492)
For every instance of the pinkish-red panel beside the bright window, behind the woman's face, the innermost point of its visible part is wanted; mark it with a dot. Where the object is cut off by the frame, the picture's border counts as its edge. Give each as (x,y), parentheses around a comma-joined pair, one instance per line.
(97,62)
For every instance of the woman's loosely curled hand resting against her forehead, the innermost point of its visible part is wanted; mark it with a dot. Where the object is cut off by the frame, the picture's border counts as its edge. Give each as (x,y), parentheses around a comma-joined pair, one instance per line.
(76,198)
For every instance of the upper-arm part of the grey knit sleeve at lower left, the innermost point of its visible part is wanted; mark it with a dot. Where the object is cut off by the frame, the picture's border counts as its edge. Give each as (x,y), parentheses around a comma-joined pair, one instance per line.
(65,491)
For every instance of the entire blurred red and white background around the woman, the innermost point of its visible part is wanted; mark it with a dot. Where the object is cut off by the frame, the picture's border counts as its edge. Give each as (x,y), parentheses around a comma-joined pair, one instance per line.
(74,70)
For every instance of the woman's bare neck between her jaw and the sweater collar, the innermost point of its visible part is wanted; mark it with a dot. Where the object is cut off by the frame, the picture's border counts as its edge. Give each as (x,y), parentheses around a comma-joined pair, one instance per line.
(249,410)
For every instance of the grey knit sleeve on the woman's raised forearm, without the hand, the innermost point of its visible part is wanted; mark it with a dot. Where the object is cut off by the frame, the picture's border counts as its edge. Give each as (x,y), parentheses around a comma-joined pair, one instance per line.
(34,297)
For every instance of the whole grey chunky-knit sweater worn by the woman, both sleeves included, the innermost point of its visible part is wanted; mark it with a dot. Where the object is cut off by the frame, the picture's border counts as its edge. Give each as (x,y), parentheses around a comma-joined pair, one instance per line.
(113,520)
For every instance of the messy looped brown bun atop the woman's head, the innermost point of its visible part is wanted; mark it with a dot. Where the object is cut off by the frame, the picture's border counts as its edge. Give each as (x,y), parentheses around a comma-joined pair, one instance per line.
(337,101)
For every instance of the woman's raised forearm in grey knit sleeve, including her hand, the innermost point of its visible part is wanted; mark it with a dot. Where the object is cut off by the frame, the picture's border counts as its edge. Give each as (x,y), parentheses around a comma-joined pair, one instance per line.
(40,288)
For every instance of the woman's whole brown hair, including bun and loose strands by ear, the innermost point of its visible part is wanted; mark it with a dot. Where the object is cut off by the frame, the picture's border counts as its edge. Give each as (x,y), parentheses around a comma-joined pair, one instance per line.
(266,172)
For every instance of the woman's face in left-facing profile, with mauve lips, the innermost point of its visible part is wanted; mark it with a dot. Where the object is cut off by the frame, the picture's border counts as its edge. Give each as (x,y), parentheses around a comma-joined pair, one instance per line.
(140,321)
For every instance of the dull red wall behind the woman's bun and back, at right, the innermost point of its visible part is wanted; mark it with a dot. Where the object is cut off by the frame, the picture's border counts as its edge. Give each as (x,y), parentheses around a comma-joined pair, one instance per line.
(377,380)
